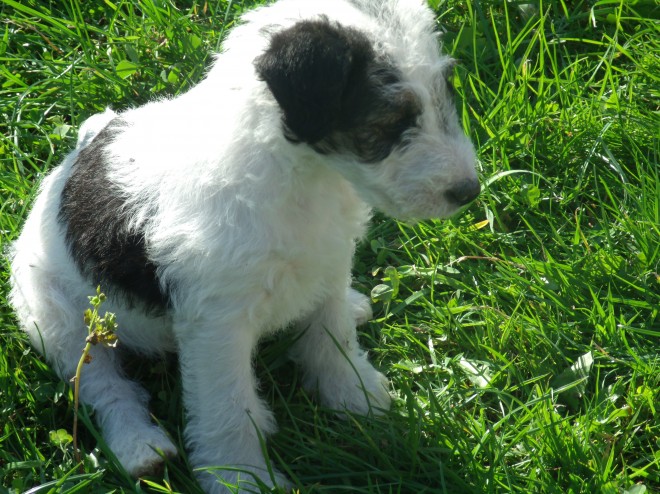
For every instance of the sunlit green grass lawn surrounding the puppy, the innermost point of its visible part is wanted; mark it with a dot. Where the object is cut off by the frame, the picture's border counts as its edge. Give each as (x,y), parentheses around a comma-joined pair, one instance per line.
(521,338)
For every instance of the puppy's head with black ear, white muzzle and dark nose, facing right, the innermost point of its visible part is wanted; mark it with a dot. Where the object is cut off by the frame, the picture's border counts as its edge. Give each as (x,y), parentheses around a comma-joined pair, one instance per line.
(390,127)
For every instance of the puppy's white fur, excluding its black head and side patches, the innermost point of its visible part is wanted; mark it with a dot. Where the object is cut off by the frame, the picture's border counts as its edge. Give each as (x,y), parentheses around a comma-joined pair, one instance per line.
(255,232)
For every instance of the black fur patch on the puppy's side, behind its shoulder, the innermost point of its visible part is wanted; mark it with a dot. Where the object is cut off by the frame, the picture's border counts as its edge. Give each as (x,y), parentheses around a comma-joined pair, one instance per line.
(100,241)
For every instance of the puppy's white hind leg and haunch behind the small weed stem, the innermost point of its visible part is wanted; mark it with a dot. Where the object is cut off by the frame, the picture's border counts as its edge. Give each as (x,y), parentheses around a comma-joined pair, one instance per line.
(55,326)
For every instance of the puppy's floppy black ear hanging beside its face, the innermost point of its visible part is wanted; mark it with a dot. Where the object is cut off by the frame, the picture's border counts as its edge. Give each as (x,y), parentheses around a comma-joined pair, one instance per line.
(308,68)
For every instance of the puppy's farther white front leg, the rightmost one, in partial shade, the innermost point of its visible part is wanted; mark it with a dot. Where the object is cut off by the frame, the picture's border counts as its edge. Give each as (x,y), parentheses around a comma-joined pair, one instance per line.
(332,360)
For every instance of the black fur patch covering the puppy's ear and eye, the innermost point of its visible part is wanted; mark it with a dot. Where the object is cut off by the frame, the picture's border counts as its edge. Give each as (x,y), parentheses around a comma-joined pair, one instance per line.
(334,92)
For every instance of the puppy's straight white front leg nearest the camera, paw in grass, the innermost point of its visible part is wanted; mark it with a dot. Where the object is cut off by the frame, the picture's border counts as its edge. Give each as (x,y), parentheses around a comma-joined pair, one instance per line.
(227,421)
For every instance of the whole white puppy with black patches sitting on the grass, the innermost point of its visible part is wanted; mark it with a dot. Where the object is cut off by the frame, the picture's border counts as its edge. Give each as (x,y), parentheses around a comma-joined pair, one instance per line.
(232,211)
